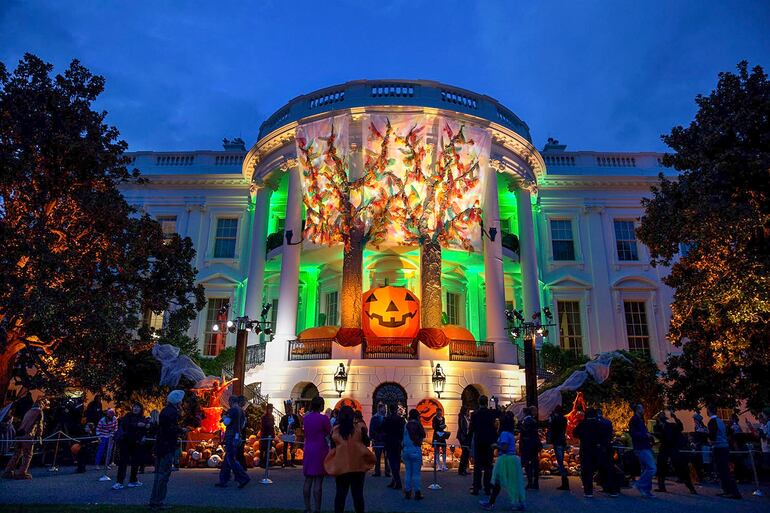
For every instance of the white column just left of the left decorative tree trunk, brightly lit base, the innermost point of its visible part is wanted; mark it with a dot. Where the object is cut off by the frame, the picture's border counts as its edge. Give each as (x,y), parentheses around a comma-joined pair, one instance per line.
(286,318)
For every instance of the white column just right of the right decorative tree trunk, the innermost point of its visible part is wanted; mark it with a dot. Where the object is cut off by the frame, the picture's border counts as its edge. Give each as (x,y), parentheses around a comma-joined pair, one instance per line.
(493,274)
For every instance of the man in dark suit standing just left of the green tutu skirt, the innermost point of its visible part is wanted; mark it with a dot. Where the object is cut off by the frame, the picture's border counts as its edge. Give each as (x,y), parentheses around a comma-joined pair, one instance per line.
(483,434)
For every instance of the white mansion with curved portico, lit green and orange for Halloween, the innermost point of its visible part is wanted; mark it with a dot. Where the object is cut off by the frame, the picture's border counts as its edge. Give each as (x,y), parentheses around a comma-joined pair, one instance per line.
(558,231)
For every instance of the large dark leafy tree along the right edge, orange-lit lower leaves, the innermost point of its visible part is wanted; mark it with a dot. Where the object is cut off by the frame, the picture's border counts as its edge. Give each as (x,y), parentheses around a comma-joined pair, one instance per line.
(718,210)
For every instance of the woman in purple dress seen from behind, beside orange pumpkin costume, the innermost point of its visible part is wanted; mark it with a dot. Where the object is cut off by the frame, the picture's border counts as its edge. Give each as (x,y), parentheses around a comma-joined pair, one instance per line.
(317,429)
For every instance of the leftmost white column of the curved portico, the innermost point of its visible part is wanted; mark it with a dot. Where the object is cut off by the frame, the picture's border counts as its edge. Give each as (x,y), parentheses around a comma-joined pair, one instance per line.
(256,276)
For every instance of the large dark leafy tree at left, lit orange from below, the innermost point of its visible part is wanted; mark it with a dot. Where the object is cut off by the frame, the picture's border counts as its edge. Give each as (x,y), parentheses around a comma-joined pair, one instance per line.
(79,266)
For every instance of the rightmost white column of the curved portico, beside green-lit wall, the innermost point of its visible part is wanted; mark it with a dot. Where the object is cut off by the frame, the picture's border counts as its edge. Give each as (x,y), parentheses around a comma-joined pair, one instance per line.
(528,254)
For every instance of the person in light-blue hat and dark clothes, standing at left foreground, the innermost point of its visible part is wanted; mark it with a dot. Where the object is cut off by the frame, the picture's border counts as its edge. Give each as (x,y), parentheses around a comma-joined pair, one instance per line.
(165,446)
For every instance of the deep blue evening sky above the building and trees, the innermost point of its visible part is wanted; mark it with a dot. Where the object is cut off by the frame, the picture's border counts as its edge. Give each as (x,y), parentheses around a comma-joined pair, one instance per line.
(182,75)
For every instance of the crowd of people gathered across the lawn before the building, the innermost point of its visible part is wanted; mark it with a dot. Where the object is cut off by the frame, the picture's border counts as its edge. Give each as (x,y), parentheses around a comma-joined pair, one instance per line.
(505,452)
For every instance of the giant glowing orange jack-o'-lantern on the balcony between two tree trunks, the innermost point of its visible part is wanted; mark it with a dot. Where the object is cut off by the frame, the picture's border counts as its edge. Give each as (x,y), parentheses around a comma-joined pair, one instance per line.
(390,312)
